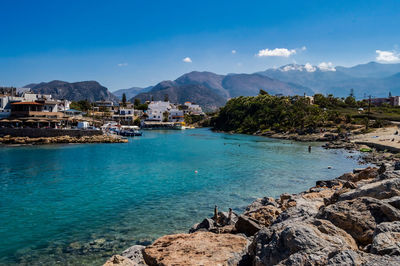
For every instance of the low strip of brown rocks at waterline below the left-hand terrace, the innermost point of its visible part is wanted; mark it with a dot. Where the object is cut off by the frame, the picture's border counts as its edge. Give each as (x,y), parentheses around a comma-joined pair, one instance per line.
(8,140)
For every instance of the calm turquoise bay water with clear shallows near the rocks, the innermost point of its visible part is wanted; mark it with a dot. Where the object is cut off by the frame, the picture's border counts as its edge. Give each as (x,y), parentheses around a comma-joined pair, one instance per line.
(78,204)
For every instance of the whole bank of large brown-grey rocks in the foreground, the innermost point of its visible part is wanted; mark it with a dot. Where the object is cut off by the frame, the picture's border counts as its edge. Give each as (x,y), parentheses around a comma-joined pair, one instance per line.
(351,220)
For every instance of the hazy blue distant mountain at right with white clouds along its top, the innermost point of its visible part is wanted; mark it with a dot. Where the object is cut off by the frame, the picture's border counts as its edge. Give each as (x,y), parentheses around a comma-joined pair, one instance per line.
(366,79)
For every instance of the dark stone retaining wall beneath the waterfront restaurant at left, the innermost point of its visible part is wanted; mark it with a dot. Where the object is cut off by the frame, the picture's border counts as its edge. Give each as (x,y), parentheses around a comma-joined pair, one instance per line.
(47,132)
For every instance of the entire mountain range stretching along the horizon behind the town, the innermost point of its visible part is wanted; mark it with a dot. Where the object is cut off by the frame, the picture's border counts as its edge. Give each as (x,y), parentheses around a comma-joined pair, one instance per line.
(211,90)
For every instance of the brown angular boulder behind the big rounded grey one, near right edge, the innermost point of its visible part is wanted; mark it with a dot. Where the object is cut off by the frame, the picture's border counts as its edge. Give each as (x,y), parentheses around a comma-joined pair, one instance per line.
(360,216)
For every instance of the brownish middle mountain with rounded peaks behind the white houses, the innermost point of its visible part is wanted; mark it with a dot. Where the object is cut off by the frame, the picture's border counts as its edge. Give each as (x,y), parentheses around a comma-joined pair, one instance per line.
(211,90)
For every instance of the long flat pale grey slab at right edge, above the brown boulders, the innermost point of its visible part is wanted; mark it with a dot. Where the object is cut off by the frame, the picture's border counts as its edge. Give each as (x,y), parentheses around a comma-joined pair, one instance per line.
(379,190)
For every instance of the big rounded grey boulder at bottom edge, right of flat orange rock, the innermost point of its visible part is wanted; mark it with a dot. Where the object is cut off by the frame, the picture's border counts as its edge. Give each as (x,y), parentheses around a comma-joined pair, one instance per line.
(300,243)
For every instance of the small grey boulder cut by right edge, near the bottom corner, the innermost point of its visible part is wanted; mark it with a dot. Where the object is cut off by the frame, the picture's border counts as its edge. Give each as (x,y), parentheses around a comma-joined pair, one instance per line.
(386,239)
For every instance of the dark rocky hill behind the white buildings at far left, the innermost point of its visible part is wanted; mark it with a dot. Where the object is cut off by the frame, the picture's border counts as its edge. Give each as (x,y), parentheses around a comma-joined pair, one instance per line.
(85,90)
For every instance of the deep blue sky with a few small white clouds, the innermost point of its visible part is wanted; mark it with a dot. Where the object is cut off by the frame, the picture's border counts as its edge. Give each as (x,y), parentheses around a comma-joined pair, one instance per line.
(139,43)
